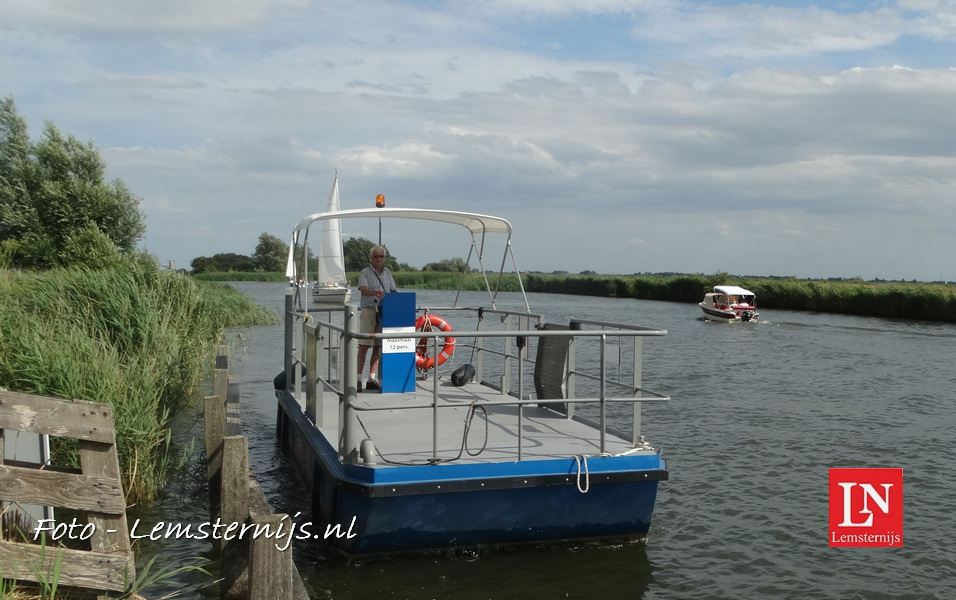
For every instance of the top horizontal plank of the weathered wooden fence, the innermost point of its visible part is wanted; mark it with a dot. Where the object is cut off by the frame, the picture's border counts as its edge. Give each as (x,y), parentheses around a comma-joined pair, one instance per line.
(56,416)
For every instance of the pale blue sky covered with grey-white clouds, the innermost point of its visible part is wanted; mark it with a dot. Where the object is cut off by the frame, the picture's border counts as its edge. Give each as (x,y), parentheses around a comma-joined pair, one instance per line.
(619,136)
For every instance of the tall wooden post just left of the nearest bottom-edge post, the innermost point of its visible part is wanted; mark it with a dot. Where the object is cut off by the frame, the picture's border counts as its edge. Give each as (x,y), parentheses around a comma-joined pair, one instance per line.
(235,513)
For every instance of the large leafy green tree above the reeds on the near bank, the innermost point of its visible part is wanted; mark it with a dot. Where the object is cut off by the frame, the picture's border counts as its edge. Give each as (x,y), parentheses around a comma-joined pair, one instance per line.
(55,202)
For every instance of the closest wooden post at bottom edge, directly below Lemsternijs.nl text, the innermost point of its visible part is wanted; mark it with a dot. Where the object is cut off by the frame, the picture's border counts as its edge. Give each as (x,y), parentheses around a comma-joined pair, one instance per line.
(270,569)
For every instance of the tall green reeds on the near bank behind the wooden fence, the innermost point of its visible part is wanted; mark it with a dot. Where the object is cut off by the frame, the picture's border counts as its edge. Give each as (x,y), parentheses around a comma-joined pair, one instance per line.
(133,336)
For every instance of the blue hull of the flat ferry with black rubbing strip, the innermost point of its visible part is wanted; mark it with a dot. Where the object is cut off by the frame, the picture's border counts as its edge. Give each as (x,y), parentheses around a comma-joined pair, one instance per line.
(391,509)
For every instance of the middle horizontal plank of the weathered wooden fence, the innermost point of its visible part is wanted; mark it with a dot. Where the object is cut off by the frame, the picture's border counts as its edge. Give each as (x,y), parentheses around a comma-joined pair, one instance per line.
(52,488)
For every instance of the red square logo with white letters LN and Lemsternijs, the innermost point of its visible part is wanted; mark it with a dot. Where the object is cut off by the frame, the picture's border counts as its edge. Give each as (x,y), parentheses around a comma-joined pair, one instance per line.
(866,507)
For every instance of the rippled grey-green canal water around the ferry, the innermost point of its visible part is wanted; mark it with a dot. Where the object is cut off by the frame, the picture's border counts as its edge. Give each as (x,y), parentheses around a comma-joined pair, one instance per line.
(759,413)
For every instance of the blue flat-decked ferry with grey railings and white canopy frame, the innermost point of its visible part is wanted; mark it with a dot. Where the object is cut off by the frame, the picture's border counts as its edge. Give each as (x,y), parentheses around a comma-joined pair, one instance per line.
(543,444)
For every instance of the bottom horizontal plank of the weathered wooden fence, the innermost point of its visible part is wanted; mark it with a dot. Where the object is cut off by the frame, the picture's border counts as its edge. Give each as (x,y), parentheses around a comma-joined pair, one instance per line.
(78,568)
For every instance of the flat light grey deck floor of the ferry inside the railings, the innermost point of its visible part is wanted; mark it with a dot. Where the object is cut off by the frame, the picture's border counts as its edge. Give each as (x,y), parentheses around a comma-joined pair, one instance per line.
(405,436)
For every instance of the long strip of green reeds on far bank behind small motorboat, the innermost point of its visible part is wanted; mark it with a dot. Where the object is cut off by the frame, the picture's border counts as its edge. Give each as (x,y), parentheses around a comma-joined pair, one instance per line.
(928,301)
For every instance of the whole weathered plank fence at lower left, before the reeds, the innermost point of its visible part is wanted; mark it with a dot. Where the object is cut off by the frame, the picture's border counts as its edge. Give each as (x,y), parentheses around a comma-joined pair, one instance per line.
(95,492)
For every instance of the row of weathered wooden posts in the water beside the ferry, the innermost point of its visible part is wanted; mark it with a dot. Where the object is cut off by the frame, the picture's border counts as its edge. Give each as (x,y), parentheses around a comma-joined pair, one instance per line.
(252,567)
